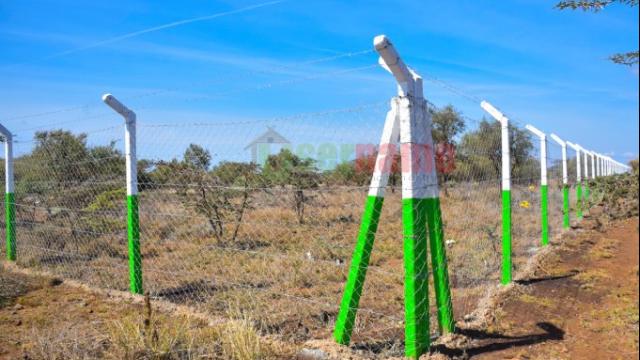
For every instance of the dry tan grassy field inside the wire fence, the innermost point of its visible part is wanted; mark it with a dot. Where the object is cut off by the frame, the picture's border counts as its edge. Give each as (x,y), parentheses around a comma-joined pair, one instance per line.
(287,276)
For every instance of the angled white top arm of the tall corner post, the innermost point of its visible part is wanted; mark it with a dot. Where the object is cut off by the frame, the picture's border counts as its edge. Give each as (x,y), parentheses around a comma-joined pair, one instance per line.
(409,82)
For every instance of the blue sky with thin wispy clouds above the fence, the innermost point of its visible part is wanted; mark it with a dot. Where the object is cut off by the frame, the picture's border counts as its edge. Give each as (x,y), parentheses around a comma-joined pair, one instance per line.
(265,66)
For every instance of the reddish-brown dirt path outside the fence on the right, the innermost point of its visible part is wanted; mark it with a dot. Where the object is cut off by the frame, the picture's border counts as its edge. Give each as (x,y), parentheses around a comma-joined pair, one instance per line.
(581,302)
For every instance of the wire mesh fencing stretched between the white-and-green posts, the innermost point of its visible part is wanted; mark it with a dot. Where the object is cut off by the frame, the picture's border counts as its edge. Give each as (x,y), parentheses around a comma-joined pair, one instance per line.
(262,216)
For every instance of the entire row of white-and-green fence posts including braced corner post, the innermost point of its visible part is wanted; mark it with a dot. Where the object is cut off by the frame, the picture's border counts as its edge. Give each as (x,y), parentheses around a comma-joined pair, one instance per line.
(408,123)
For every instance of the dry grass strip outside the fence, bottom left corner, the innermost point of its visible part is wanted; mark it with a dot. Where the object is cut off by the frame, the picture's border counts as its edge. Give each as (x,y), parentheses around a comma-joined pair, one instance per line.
(45,318)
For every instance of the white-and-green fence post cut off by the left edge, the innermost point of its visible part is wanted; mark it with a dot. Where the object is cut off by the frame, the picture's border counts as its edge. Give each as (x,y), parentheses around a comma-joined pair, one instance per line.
(9,197)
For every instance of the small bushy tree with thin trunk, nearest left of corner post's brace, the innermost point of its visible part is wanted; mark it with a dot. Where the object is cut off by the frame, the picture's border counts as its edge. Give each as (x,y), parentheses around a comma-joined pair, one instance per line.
(288,170)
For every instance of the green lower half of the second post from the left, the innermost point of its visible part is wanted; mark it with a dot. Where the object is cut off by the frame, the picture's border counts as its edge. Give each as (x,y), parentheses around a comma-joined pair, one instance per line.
(133,234)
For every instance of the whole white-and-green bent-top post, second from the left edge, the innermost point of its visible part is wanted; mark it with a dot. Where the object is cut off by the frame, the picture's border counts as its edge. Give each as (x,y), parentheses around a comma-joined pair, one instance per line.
(133,221)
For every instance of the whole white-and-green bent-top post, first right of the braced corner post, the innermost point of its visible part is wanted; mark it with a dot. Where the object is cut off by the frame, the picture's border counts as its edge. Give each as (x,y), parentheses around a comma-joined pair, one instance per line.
(506,190)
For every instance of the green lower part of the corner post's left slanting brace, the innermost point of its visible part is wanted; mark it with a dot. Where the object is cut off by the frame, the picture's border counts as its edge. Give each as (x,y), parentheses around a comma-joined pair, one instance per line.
(358,270)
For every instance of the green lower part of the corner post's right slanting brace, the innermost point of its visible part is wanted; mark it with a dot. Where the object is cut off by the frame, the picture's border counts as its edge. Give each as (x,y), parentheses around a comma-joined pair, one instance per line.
(439,266)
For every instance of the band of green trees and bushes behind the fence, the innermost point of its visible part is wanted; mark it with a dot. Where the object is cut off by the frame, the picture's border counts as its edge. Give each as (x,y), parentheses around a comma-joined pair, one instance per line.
(75,182)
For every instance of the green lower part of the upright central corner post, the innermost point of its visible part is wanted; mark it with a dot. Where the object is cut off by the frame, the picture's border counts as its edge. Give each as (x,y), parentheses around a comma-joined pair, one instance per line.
(416,281)
